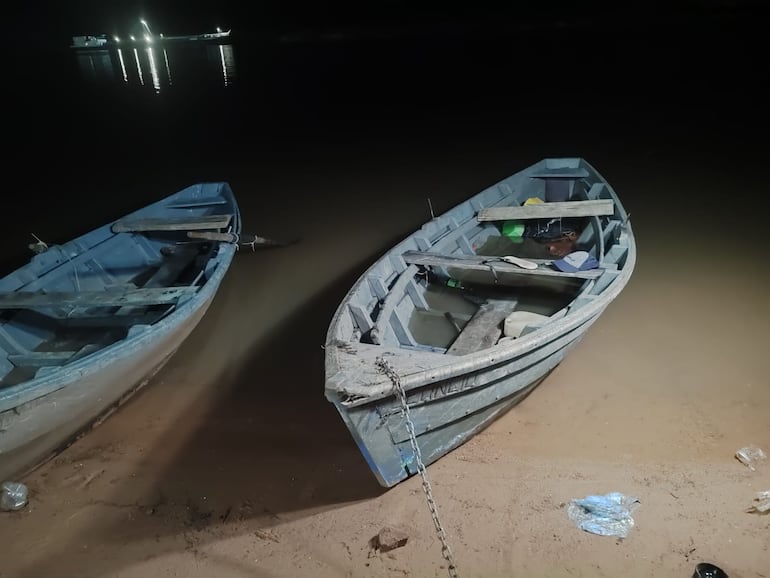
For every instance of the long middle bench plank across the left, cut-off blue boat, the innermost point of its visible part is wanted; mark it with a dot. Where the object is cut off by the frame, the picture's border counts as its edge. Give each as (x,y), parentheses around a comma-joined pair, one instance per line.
(136,297)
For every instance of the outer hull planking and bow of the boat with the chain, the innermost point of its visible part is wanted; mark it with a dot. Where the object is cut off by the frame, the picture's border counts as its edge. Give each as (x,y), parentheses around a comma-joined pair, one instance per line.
(447,413)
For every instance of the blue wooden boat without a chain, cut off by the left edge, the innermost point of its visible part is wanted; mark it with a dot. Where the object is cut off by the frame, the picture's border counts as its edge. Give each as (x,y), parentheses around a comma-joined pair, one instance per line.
(86,323)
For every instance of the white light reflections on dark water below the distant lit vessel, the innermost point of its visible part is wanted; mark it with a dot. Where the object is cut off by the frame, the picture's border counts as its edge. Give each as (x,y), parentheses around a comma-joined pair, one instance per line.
(159,68)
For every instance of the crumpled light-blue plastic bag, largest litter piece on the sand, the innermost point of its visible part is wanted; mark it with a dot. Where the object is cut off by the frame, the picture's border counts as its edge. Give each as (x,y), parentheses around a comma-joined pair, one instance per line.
(608,515)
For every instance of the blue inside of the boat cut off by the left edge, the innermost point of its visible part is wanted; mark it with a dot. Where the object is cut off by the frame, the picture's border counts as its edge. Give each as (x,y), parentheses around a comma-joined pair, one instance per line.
(77,298)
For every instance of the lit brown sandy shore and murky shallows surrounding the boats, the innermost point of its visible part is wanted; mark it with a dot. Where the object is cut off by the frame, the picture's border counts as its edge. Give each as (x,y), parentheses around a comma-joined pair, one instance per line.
(232,464)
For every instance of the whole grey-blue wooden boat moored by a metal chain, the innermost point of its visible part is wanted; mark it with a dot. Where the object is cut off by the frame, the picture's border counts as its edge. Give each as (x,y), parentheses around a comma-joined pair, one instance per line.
(462,319)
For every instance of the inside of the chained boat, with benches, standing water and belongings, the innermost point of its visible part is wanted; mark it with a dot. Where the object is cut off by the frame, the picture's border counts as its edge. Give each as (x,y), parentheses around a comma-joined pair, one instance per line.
(449,288)
